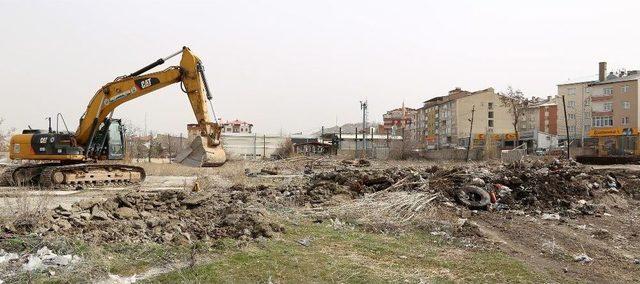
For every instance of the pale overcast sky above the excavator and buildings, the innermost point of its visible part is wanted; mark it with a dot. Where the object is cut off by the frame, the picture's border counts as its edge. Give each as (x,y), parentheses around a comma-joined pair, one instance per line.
(297,65)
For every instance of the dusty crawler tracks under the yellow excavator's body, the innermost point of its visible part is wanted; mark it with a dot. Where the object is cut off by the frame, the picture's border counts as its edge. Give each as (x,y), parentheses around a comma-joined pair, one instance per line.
(57,176)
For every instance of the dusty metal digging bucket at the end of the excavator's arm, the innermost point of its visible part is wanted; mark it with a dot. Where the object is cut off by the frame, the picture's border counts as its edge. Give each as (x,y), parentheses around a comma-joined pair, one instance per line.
(200,154)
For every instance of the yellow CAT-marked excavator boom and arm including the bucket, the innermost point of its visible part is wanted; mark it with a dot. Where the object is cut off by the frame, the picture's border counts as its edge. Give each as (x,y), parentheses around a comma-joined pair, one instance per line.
(204,151)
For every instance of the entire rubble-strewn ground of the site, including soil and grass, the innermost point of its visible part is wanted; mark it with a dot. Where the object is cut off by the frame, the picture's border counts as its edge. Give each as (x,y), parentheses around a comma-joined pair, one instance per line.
(326,220)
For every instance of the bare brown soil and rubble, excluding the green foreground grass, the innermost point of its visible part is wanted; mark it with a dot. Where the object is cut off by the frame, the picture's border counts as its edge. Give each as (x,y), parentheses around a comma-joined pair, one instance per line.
(550,212)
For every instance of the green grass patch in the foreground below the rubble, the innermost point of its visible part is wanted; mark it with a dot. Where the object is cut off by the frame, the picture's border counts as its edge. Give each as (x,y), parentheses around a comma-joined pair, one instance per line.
(353,256)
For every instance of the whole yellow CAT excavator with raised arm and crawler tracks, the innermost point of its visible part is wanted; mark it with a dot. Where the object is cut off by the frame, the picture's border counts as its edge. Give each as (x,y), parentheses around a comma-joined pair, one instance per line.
(70,159)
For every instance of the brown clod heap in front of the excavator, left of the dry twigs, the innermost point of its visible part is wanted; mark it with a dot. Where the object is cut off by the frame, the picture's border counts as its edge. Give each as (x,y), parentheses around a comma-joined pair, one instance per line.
(166,217)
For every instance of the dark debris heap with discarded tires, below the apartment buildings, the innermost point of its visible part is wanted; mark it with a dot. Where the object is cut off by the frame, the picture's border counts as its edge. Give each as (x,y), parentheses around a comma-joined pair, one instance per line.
(534,185)
